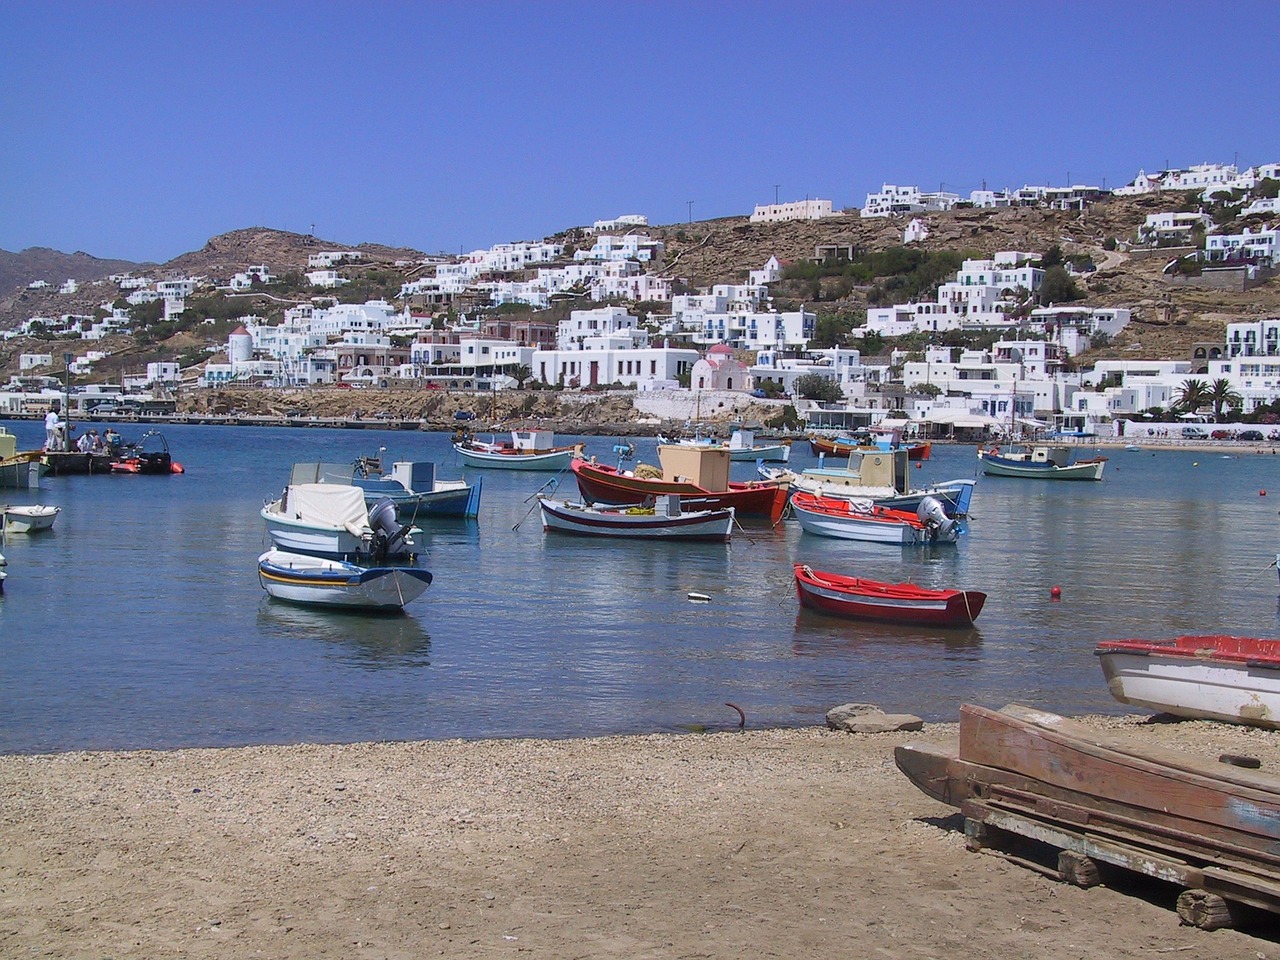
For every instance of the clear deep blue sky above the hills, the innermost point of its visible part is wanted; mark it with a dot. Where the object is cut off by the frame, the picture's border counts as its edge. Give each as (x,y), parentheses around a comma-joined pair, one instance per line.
(141,130)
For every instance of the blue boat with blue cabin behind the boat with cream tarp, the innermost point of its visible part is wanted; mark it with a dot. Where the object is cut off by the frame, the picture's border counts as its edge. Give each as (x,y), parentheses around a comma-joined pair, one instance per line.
(413,487)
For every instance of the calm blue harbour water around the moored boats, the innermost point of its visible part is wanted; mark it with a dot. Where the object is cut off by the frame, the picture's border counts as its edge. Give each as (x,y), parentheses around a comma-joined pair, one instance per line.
(139,621)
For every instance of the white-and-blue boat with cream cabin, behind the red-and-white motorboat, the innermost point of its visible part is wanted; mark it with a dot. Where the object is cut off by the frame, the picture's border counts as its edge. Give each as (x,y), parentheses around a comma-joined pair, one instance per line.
(881,477)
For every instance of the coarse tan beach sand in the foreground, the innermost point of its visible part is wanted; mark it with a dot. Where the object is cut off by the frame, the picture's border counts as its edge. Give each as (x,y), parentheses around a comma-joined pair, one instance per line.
(788,844)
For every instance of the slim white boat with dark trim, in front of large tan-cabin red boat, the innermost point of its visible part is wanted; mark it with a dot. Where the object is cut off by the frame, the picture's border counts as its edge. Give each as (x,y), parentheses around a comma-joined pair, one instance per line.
(665,520)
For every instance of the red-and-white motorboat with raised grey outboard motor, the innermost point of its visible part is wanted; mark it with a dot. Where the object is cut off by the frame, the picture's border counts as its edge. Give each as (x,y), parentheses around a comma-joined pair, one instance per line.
(863,520)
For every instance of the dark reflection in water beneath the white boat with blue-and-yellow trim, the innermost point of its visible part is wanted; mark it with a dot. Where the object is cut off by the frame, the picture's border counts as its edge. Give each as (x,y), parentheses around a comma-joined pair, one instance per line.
(374,642)
